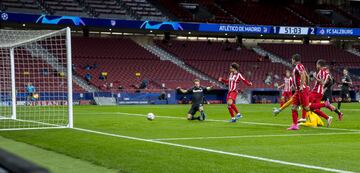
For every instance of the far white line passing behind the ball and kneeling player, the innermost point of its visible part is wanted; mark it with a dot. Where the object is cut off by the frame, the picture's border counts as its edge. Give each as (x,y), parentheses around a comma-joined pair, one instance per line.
(240,121)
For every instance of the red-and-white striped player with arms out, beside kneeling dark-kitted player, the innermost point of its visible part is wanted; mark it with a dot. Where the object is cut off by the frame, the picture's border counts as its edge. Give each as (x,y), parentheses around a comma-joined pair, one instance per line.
(234,78)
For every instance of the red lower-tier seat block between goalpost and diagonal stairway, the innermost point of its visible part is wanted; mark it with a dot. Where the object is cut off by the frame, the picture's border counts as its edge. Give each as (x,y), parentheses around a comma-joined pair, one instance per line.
(112,55)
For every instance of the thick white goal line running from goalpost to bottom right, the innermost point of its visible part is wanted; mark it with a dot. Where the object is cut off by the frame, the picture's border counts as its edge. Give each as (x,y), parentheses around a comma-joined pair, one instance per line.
(216,151)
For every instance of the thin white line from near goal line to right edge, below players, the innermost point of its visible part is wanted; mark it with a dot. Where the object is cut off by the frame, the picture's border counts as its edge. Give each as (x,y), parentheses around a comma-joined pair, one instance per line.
(254,136)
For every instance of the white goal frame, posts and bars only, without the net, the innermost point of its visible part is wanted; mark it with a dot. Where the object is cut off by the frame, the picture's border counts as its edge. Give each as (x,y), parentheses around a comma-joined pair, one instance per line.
(11,48)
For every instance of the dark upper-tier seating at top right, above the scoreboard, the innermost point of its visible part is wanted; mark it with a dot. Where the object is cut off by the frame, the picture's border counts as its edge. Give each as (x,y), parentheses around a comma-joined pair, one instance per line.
(296,14)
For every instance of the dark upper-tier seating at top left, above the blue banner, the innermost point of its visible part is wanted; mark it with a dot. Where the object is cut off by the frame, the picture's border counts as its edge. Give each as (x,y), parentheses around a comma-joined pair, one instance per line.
(125,9)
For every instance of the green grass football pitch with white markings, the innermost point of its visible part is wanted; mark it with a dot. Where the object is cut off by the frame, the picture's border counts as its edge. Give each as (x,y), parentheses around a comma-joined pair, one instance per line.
(121,139)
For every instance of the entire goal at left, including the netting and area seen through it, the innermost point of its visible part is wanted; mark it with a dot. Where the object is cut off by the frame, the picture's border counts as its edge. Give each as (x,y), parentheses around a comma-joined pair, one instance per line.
(36,79)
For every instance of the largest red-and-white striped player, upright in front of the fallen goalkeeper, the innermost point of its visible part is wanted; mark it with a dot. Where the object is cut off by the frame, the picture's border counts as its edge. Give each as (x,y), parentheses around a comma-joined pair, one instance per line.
(300,97)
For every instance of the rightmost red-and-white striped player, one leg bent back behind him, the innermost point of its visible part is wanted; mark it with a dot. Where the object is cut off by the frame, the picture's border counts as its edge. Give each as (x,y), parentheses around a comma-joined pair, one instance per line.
(321,78)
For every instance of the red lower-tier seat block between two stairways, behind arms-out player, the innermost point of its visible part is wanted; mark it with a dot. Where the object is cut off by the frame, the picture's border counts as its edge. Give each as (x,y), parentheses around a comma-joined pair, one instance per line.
(213,59)
